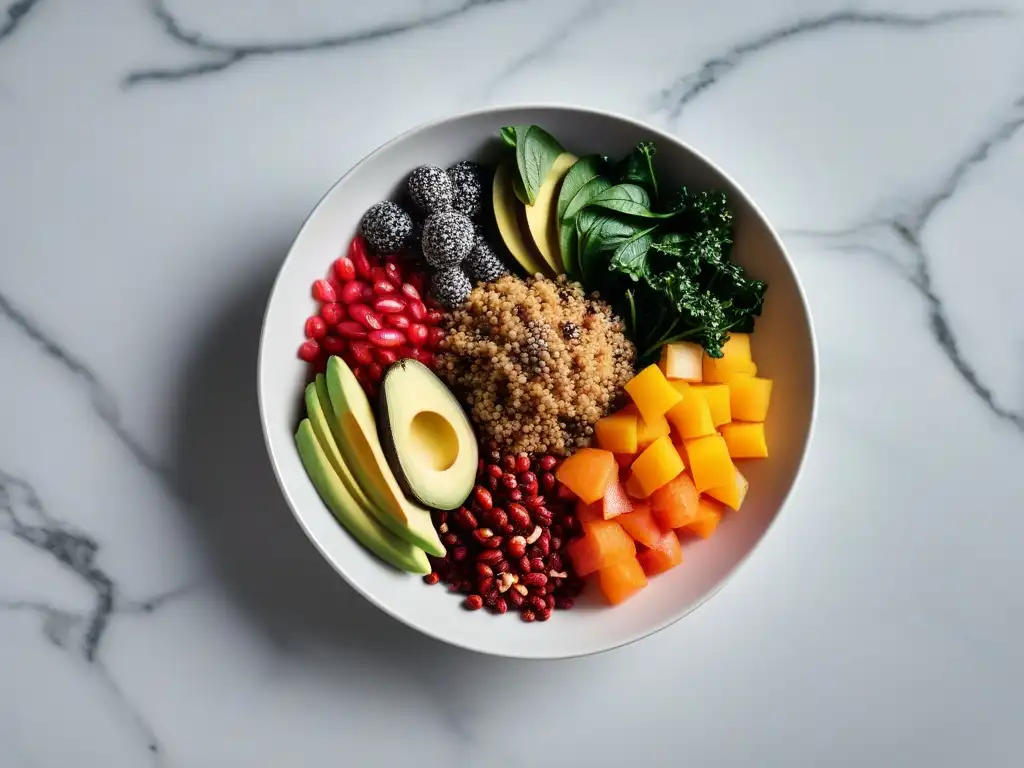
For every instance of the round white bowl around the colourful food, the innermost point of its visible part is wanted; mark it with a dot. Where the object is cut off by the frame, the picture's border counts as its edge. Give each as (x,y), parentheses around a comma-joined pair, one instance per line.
(784,349)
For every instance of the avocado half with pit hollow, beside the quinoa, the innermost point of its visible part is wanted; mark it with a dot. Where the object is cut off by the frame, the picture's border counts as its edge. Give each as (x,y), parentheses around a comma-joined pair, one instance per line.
(428,438)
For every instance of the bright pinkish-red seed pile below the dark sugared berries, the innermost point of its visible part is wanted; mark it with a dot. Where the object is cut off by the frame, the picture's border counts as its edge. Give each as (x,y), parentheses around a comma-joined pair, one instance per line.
(372,315)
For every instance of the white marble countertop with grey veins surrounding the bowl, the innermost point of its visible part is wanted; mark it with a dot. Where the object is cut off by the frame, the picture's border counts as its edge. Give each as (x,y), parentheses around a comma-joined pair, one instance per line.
(158,604)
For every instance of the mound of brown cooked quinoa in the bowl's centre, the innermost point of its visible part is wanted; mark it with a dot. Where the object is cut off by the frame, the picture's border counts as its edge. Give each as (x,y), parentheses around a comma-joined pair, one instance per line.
(537,363)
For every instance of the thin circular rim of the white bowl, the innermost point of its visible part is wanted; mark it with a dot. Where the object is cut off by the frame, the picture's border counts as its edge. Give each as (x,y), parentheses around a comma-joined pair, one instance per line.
(658,135)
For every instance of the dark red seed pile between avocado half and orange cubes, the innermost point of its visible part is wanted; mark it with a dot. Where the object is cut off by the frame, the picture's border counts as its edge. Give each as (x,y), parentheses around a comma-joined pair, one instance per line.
(505,546)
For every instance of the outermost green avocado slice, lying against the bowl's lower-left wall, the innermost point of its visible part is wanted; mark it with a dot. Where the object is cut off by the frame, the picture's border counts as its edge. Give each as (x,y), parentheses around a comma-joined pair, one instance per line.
(358,522)
